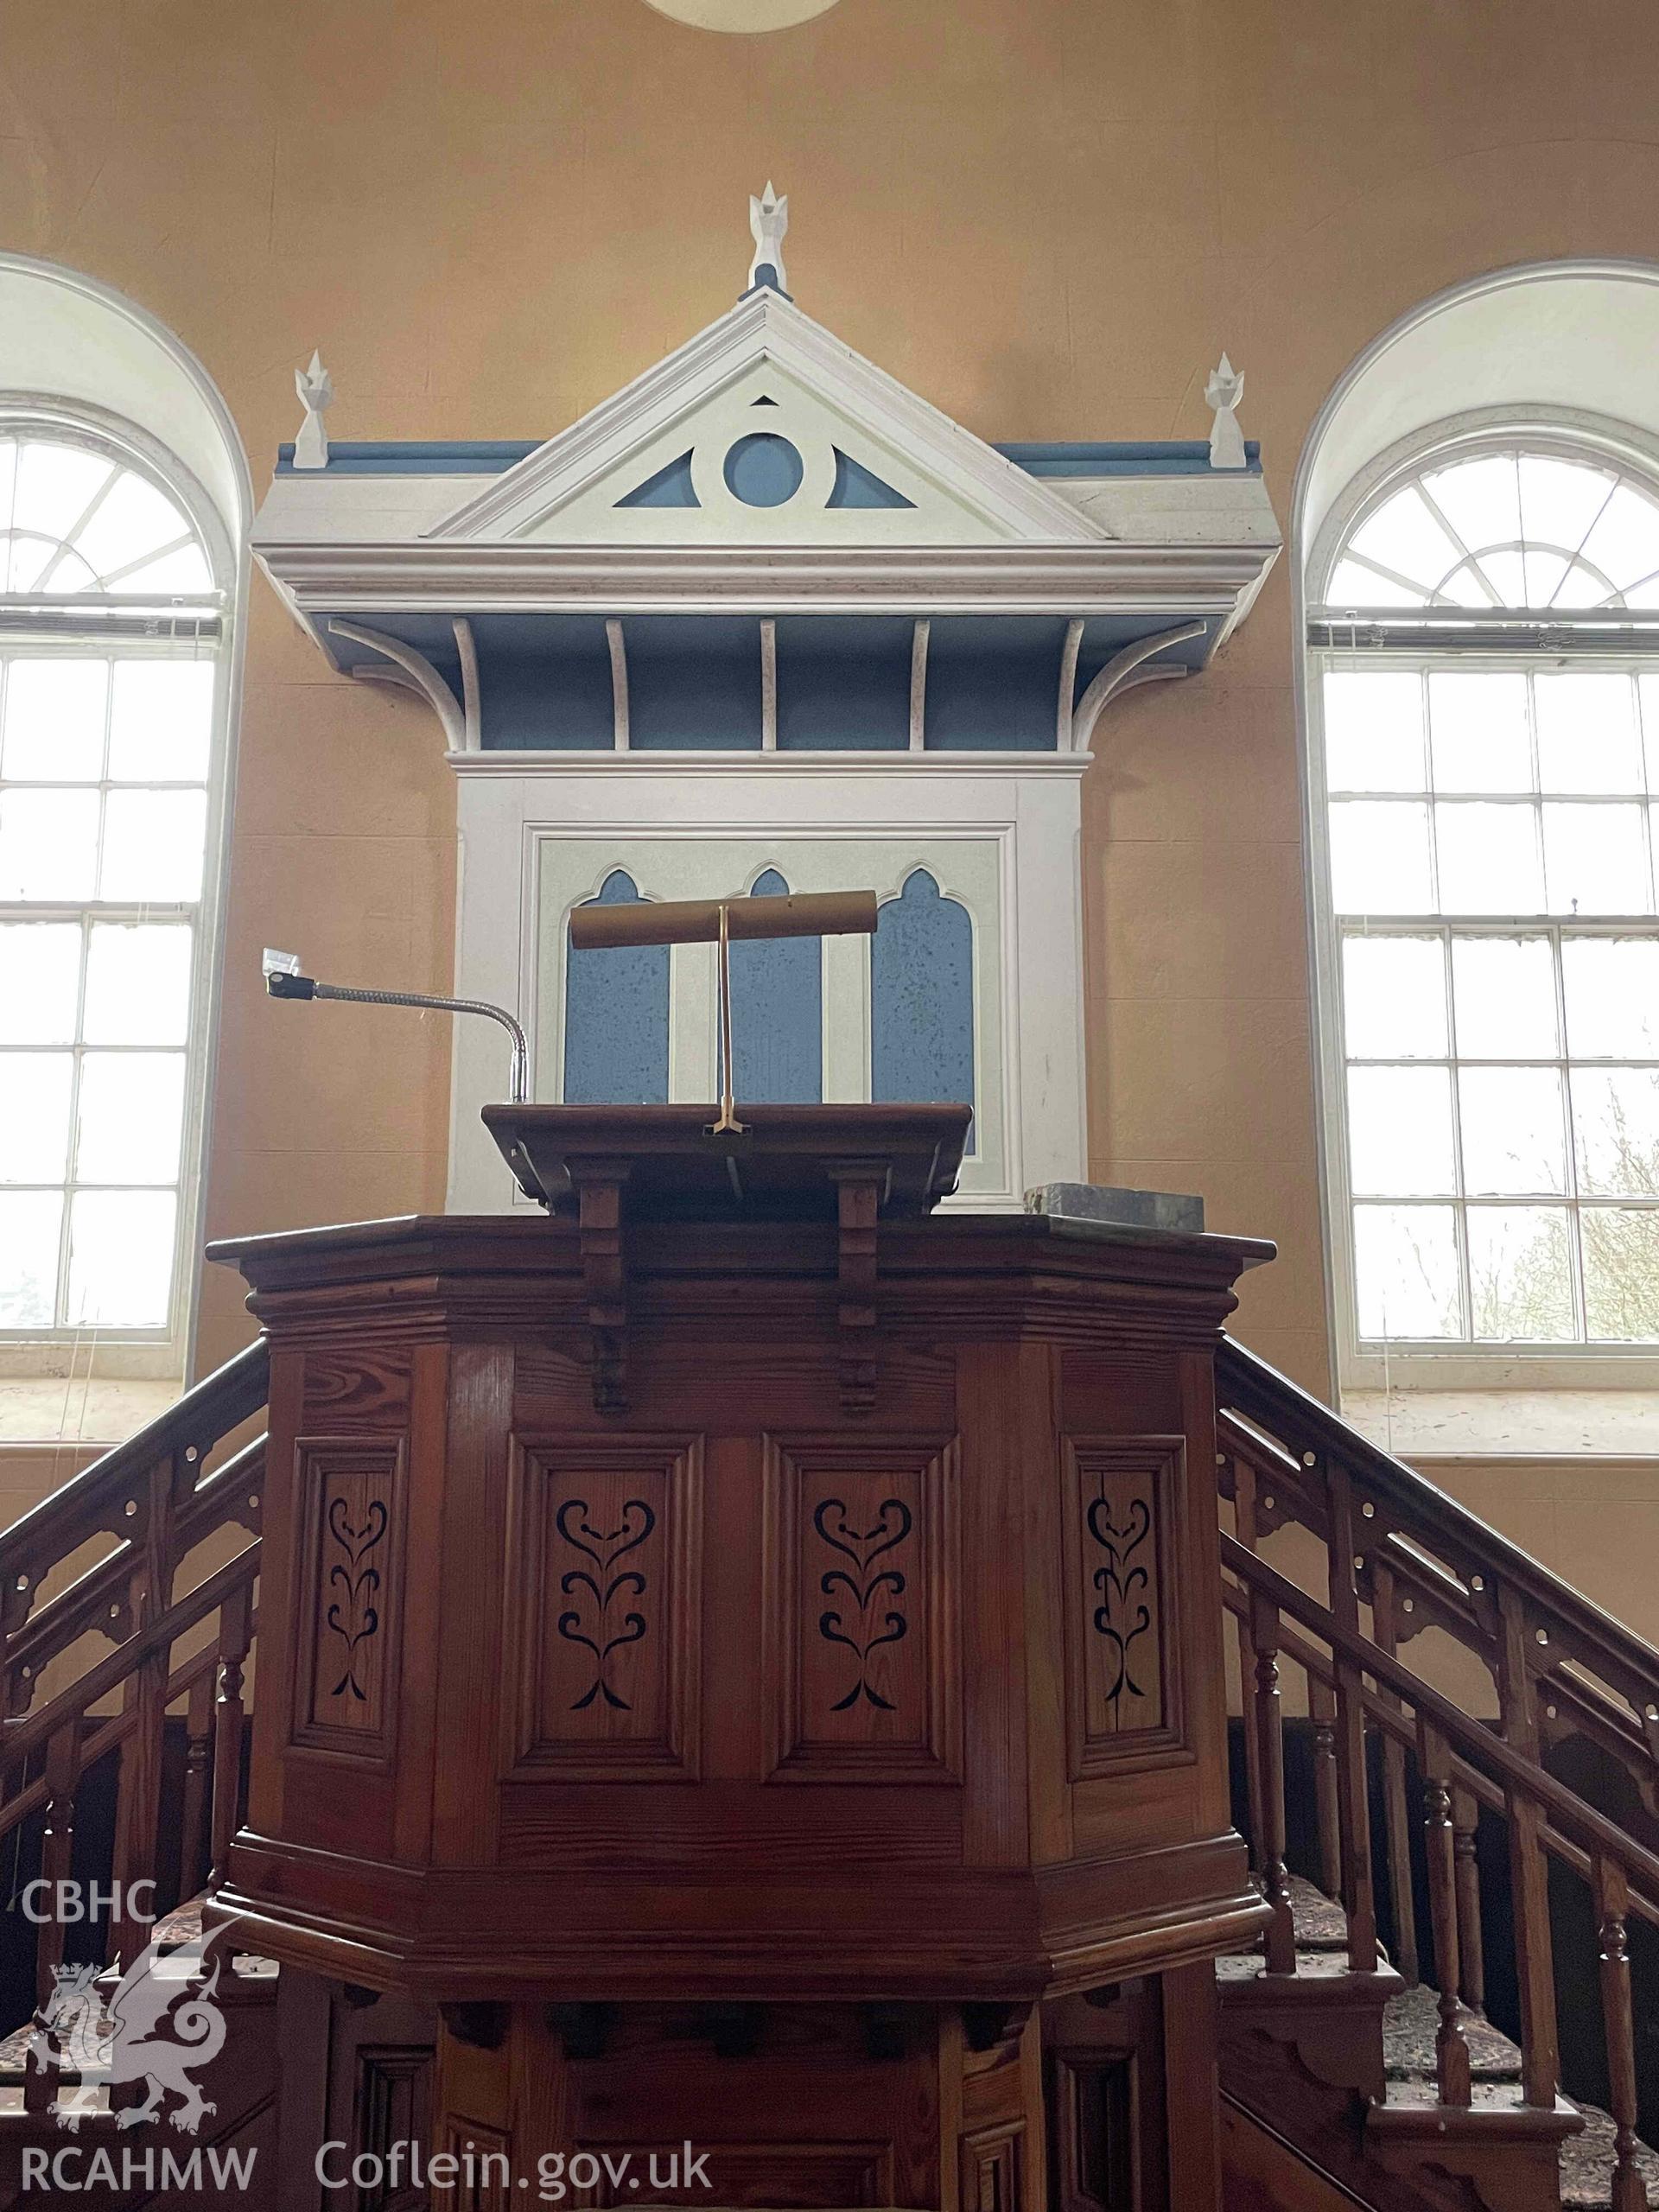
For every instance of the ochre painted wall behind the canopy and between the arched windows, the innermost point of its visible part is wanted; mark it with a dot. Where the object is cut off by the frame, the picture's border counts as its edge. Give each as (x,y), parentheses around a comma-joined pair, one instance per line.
(1047,216)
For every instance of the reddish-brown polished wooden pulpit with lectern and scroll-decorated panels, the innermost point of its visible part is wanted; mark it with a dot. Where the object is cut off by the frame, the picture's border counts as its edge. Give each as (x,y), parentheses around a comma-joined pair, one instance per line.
(751,1649)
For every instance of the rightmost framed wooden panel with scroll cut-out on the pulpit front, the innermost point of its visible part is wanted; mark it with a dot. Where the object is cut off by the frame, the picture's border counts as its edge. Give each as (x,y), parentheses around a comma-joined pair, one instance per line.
(1123,1645)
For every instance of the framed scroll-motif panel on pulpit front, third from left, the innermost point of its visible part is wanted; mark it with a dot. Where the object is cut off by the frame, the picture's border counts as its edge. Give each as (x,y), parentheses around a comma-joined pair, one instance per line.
(862,1642)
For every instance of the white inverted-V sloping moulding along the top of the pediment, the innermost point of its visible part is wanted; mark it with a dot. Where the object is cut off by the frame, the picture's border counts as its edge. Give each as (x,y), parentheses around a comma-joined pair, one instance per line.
(766,328)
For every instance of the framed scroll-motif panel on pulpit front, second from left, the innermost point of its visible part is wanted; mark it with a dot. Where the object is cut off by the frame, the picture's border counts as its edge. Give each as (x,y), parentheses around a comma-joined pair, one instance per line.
(605,1594)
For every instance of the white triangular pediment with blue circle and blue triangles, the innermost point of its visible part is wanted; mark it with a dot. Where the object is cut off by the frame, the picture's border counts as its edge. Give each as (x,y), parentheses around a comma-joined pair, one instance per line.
(766,430)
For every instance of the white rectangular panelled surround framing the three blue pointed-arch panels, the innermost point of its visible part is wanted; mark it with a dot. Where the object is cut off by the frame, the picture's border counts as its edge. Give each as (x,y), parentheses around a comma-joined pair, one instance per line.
(539,835)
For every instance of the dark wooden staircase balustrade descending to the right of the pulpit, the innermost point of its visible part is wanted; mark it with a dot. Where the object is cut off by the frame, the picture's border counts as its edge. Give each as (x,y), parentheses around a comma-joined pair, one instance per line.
(1399,1556)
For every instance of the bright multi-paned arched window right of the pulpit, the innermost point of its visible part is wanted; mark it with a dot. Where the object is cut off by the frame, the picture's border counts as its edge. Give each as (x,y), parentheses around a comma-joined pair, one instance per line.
(1485,720)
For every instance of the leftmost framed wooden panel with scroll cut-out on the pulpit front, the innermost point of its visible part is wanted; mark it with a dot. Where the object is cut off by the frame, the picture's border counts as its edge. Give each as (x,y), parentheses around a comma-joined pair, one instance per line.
(348,1496)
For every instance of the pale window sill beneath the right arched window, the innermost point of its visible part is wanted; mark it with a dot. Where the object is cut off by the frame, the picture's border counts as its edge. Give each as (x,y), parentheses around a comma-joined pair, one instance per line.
(1507,1423)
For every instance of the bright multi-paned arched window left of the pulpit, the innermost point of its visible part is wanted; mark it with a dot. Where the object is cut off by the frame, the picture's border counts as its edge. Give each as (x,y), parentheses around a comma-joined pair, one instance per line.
(112,711)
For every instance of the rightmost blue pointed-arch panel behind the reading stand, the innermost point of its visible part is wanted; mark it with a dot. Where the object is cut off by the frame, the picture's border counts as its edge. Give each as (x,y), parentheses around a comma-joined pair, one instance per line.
(921,988)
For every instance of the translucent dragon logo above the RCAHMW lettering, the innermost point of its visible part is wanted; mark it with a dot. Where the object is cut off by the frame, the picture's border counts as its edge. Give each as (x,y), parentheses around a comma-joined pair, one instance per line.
(156,2027)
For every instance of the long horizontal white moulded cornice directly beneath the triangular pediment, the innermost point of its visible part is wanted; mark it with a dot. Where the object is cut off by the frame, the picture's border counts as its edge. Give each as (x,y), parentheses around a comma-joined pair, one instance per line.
(468,578)
